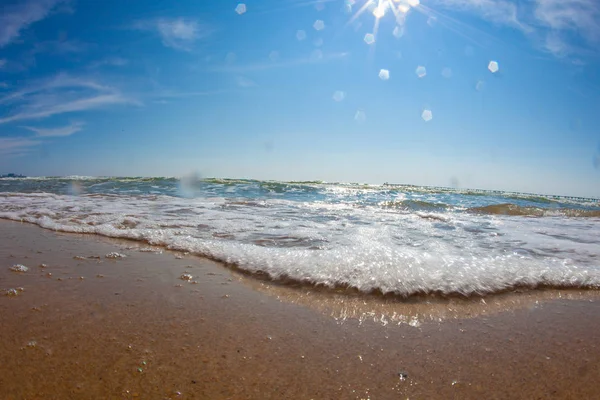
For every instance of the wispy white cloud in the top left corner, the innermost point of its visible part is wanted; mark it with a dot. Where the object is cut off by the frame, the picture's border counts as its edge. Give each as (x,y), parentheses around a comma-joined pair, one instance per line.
(15,18)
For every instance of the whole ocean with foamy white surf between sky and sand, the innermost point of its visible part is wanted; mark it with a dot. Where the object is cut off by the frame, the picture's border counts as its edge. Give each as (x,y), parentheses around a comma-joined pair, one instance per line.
(392,239)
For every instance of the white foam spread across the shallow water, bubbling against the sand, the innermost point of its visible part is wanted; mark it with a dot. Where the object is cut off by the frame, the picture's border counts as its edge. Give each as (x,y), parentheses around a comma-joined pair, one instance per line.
(339,243)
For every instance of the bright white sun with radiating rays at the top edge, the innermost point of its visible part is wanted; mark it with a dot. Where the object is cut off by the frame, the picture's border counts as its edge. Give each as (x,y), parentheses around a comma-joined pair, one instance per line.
(380,8)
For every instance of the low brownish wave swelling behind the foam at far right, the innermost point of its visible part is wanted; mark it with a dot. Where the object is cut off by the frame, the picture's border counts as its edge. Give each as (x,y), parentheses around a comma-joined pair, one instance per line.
(516,210)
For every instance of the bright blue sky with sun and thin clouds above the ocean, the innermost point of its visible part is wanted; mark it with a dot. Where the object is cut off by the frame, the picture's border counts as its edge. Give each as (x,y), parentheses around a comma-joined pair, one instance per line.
(300,90)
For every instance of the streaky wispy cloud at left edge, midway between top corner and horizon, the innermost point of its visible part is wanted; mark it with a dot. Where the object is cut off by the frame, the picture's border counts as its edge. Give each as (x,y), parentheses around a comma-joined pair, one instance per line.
(60,95)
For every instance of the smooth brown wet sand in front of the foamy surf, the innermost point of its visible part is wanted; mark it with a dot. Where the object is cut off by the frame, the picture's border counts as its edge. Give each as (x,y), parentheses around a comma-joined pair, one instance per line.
(131,328)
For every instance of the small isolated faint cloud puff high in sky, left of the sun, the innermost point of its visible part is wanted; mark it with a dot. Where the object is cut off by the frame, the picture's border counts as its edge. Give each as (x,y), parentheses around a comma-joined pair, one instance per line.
(177,33)
